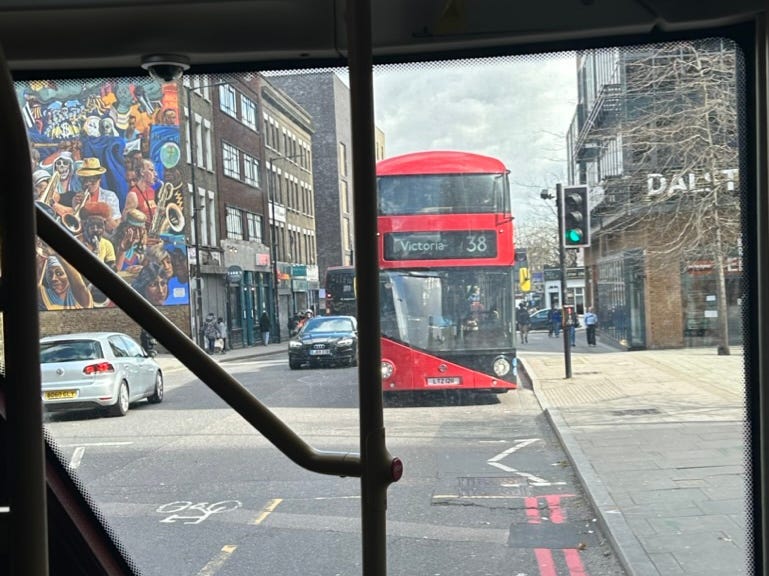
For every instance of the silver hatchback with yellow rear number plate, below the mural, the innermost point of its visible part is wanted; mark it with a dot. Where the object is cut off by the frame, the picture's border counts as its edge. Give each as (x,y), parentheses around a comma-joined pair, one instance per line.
(102,370)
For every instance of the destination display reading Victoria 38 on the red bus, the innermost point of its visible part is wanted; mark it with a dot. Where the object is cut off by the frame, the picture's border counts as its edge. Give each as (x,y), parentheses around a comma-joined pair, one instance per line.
(440,245)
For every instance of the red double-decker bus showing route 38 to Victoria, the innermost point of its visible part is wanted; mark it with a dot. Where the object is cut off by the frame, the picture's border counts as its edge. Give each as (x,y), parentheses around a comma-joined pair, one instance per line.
(446,257)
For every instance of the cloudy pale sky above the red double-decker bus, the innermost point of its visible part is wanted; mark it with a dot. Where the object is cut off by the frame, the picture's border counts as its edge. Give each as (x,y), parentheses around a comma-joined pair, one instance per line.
(516,109)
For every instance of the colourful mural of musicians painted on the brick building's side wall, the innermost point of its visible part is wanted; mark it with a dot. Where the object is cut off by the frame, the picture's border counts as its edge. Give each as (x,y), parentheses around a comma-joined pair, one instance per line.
(105,162)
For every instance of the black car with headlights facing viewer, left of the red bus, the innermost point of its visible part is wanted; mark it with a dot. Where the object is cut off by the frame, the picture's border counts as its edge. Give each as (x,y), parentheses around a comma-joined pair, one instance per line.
(325,341)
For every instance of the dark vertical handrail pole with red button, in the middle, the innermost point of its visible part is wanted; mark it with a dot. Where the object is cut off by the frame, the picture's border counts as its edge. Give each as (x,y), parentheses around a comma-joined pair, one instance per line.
(377,463)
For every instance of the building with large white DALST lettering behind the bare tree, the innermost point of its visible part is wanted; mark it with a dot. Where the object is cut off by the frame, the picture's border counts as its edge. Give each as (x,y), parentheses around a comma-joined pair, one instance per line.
(658,273)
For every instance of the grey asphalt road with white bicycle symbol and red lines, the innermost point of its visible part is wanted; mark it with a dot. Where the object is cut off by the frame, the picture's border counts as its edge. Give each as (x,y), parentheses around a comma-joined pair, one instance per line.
(191,489)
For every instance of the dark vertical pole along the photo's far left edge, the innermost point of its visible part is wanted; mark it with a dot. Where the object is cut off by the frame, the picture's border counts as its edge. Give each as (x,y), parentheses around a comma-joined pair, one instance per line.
(28,526)
